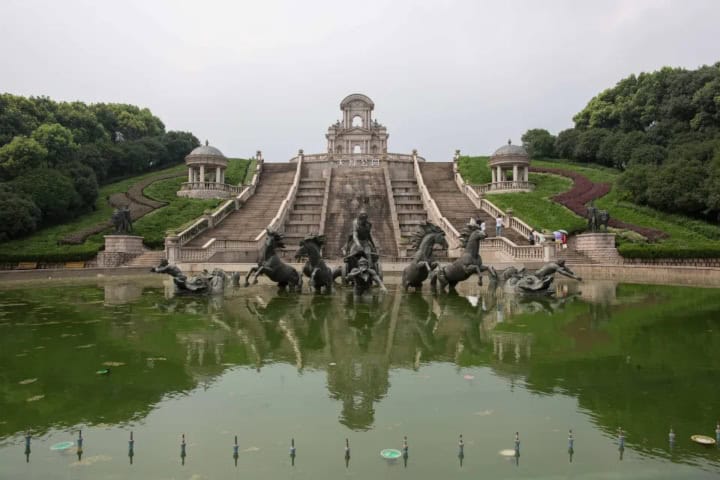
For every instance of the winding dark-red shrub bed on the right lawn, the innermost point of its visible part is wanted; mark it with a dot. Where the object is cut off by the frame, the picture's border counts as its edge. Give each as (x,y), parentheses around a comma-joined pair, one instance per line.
(584,191)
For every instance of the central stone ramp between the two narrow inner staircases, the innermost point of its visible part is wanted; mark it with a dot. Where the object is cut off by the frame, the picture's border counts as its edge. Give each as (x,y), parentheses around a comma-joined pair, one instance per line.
(352,189)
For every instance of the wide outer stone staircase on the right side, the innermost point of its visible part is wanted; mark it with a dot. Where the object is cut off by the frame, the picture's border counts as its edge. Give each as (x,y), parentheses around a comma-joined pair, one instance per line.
(454,204)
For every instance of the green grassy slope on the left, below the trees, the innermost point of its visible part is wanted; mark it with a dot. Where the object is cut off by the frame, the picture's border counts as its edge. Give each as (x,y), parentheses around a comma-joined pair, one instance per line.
(44,244)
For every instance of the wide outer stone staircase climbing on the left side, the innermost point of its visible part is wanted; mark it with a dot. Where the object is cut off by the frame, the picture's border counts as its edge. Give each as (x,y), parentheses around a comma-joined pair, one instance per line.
(255,215)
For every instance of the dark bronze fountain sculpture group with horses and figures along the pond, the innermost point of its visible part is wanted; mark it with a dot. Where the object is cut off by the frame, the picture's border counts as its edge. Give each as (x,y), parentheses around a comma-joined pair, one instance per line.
(361,266)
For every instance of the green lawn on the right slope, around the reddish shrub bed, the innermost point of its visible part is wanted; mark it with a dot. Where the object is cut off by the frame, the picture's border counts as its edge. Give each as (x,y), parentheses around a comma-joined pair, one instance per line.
(536,209)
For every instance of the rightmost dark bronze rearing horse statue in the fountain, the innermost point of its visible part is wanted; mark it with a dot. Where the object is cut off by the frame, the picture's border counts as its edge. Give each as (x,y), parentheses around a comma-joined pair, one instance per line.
(469,263)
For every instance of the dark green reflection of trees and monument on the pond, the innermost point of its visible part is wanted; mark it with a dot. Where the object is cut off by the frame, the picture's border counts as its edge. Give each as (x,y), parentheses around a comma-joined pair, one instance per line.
(629,354)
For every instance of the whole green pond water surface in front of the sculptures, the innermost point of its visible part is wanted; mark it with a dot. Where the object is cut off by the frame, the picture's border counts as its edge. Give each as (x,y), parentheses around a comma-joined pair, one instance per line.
(320,369)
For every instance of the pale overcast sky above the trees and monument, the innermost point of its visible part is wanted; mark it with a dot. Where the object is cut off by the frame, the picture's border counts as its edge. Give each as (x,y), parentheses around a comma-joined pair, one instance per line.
(270,74)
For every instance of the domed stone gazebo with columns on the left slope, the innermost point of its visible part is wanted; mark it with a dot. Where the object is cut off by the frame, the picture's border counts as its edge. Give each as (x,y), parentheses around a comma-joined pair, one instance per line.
(206,174)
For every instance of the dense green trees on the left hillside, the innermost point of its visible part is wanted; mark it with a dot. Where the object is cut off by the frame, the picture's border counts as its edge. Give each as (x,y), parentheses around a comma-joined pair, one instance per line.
(53,156)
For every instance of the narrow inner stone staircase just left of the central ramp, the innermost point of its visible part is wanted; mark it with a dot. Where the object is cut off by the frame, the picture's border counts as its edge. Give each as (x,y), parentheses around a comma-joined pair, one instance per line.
(305,214)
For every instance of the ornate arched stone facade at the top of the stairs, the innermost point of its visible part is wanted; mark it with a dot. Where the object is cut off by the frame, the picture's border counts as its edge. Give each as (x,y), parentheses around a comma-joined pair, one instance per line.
(358,132)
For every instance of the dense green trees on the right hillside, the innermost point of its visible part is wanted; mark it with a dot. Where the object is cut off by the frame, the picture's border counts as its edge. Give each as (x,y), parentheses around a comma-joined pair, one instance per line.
(661,128)
